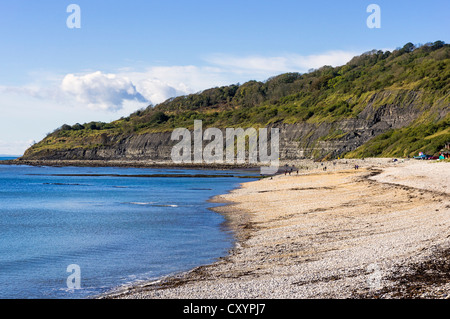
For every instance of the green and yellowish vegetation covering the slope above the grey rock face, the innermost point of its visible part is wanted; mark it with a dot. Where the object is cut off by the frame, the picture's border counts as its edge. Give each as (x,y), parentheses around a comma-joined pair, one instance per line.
(417,75)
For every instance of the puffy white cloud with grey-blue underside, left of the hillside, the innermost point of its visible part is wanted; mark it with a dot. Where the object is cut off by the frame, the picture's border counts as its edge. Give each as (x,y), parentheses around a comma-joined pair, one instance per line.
(100,91)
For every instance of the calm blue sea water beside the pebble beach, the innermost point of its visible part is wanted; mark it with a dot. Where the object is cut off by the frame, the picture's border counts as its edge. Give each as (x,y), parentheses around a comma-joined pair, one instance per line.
(117,229)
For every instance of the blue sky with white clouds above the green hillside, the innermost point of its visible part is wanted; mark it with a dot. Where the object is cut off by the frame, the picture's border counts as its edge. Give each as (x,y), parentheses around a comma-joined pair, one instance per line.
(101,59)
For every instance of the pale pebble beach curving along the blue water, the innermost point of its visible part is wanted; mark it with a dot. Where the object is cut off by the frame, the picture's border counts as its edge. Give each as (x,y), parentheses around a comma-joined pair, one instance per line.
(379,231)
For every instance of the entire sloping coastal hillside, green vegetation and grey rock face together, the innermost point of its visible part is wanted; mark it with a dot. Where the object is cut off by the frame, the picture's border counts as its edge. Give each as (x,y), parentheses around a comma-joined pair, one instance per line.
(378,104)
